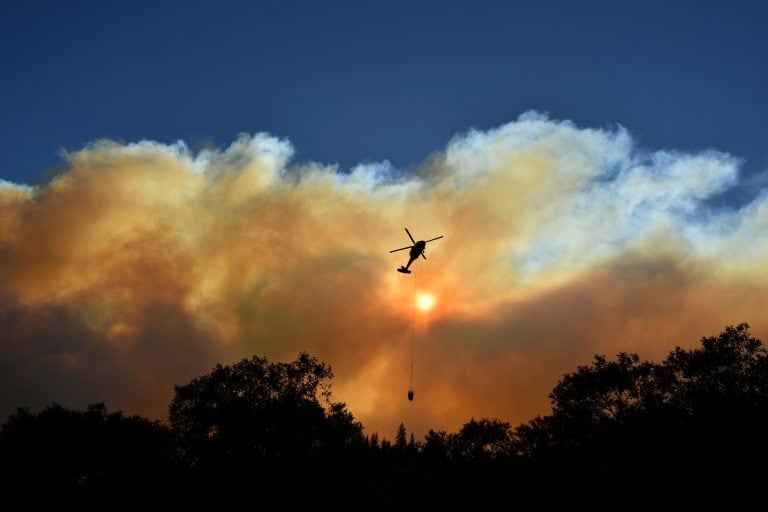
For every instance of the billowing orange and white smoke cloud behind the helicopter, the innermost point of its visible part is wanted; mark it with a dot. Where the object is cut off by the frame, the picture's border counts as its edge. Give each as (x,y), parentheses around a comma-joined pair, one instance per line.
(142,265)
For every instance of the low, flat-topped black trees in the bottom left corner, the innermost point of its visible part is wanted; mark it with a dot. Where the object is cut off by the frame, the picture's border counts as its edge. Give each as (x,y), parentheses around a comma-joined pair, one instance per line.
(60,457)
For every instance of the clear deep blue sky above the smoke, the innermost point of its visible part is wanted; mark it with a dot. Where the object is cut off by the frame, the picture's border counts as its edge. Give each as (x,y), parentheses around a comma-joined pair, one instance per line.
(354,81)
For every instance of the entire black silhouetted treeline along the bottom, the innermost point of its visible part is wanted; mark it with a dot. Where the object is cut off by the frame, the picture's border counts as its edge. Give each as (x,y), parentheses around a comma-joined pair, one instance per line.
(623,434)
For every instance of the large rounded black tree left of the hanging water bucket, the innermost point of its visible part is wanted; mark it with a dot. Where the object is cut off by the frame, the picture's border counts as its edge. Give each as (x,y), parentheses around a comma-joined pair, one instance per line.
(266,427)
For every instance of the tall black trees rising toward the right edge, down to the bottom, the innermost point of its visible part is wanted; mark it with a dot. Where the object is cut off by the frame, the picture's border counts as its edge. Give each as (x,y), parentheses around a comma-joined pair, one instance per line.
(694,420)
